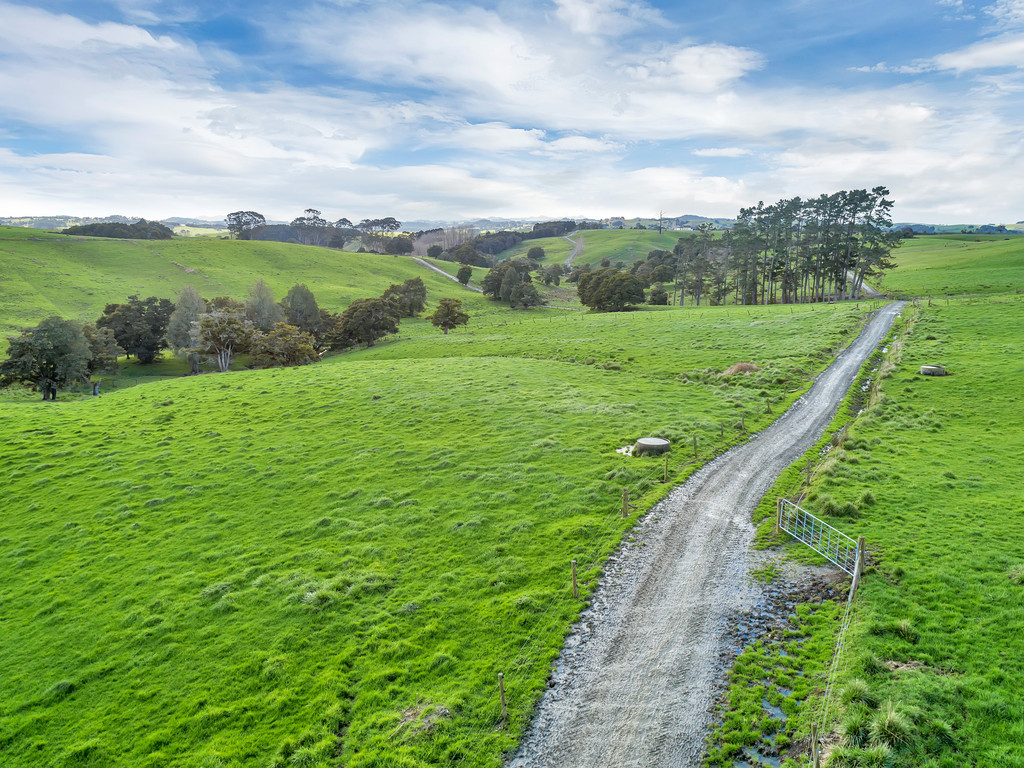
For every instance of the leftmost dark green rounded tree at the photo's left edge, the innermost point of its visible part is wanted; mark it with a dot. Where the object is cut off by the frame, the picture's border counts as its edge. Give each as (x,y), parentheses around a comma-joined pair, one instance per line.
(52,356)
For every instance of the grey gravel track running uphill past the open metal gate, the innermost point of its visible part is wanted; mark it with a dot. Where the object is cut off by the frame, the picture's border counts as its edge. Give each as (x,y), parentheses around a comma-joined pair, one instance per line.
(637,681)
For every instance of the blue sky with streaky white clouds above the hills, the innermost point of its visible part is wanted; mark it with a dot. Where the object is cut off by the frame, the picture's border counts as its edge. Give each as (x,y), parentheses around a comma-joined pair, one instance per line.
(519,109)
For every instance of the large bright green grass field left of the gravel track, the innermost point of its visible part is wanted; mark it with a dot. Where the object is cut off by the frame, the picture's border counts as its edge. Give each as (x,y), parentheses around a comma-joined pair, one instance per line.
(330,565)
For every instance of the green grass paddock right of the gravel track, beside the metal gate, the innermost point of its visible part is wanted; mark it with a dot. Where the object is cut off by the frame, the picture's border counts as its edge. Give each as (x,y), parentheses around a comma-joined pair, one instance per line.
(929,474)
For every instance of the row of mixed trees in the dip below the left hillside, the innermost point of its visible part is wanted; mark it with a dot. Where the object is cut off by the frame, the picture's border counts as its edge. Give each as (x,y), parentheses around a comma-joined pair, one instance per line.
(60,353)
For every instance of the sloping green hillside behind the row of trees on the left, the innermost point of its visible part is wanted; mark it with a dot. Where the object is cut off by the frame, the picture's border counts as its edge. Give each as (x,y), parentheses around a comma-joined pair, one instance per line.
(44,274)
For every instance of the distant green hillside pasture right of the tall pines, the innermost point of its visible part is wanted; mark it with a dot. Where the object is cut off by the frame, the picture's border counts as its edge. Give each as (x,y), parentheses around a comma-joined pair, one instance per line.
(958,265)
